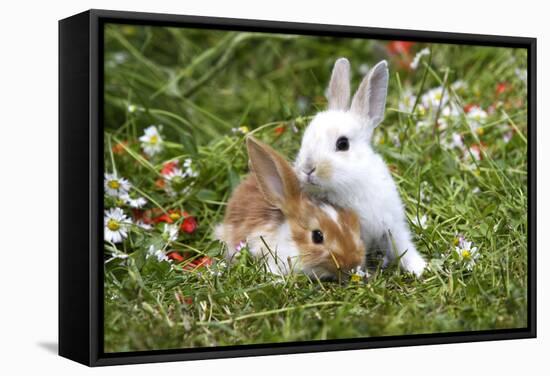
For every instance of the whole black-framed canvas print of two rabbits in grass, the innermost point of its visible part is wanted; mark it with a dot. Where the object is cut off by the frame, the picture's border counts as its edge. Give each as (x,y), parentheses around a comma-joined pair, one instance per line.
(236,187)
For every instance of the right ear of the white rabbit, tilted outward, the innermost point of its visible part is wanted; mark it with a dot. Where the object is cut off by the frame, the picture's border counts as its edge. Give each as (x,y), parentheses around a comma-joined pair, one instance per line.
(370,99)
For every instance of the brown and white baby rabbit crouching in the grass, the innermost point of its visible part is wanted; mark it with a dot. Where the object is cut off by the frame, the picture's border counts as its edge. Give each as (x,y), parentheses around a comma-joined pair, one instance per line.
(300,234)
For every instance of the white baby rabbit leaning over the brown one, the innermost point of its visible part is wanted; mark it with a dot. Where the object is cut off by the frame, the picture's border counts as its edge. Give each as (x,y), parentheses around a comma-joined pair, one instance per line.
(337,163)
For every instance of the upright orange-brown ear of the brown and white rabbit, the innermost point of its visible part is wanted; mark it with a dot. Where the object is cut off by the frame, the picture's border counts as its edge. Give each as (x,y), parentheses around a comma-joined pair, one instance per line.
(276,178)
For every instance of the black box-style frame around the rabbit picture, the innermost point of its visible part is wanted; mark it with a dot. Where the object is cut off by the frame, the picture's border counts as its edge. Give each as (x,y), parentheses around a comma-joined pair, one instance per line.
(80,187)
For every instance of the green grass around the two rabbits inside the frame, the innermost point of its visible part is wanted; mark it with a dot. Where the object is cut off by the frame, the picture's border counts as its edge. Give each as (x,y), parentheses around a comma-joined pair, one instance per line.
(199,85)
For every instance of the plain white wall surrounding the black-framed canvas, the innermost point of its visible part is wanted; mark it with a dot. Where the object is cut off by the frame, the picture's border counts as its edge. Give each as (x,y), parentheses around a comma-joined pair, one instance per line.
(28,205)
